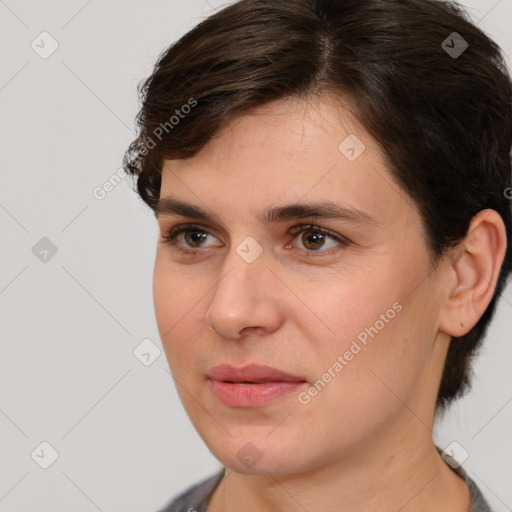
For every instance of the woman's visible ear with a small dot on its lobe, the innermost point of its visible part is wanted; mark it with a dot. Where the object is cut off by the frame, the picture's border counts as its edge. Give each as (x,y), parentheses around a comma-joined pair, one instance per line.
(475,268)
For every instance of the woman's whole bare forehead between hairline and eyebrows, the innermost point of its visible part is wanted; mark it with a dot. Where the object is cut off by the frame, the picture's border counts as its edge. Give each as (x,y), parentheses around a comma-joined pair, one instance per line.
(286,152)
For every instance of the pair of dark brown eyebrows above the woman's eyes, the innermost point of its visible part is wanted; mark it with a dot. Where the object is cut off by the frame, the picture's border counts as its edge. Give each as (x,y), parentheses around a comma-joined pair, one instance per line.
(322,210)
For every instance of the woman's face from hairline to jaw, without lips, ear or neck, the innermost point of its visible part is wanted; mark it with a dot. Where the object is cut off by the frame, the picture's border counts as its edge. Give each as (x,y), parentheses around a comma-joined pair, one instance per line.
(357,321)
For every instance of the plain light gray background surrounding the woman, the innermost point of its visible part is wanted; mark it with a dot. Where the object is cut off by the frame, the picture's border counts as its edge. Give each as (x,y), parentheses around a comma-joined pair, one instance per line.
(70,323)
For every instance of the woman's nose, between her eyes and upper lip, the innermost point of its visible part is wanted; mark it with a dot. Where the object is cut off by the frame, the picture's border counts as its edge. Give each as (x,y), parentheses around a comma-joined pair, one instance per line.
(244,300)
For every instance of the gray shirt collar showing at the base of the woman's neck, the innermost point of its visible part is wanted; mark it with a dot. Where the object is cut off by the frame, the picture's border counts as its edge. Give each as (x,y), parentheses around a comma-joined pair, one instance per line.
(195,497)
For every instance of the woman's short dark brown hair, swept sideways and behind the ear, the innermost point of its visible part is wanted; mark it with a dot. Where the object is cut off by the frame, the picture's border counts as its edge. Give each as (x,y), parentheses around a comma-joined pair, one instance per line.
(442,118)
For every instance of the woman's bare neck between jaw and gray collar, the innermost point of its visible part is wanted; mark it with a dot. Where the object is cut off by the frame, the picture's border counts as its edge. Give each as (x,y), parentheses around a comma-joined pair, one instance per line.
(406,475)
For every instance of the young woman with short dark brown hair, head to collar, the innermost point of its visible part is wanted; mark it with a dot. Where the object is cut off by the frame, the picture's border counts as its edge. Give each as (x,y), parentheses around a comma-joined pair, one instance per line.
(329,179)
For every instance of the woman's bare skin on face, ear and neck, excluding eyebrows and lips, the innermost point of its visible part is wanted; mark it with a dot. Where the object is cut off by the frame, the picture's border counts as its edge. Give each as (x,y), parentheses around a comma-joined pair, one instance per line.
(364,442)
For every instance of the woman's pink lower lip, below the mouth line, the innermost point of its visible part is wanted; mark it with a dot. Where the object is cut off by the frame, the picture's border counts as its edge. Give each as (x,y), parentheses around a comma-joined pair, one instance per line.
(252,395)
